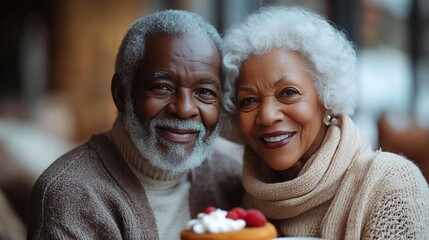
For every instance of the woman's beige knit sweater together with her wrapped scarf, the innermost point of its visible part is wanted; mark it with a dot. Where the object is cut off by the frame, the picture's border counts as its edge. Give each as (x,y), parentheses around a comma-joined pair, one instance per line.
(344,191)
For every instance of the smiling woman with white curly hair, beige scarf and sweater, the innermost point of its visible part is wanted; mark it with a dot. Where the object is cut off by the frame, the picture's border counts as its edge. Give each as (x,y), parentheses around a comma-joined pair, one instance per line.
(291,84)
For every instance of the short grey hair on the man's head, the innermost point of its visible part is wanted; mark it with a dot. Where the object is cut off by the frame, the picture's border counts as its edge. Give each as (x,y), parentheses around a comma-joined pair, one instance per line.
(169,22)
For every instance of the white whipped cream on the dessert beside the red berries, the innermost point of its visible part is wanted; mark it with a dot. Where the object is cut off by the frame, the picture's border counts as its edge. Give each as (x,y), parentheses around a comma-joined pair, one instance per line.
(215,222)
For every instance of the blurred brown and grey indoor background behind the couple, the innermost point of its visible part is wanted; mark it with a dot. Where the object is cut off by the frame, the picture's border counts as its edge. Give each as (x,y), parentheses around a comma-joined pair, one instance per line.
(57,61)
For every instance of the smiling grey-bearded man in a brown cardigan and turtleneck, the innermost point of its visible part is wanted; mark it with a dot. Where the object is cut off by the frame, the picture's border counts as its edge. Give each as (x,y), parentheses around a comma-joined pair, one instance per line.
(162,162)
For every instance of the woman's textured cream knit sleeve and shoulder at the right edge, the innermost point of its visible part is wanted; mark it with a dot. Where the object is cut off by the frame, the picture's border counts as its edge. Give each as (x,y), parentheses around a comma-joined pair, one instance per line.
(396,195)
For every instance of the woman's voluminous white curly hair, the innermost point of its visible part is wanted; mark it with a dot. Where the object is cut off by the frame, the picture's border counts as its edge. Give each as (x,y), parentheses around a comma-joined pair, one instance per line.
(330,57)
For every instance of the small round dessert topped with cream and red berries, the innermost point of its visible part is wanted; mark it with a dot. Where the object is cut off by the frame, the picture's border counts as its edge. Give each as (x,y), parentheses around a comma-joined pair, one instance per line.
(237,223)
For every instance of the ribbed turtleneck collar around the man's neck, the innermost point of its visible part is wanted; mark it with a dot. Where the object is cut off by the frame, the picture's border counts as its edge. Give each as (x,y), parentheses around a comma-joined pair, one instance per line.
(140,166)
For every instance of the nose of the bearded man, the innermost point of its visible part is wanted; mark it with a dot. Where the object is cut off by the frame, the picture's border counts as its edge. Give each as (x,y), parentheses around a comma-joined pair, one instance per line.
(184,105)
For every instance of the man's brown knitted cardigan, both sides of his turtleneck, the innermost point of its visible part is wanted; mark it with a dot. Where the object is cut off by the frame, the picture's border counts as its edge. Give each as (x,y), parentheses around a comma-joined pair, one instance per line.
(91,193)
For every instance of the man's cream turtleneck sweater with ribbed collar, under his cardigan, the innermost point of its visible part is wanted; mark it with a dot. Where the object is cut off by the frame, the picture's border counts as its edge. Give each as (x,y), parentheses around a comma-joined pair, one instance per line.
(167,193)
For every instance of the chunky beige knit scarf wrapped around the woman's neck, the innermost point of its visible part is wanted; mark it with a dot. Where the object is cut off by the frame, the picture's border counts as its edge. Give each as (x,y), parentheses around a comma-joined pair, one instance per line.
(317,181)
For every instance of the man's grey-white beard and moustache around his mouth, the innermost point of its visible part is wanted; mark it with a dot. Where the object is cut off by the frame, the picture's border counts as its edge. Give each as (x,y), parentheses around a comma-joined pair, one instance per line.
(176,158)
